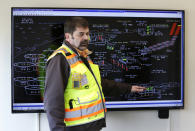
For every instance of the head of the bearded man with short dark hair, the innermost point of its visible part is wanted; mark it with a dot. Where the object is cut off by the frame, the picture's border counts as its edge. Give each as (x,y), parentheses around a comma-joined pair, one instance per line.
(77,32)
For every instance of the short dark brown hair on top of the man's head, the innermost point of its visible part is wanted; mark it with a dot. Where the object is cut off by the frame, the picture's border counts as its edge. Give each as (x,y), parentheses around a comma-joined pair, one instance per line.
(73,22)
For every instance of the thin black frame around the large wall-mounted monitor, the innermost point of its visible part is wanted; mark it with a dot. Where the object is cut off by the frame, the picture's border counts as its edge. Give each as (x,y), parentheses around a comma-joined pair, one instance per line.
(109,109)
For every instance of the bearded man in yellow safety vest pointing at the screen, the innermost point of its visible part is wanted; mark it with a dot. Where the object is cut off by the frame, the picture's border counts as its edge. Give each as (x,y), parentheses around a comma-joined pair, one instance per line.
(74,99)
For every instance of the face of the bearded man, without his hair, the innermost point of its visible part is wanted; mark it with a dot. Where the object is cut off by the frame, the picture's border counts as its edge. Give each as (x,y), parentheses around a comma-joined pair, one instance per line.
(79,38)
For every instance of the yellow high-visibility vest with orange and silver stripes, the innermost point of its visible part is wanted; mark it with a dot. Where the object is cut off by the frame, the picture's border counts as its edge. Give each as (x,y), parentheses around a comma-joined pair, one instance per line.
(84,100)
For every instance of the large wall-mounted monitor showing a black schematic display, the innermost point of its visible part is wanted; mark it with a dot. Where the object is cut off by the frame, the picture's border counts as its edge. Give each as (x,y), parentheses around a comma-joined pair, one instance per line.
(139,47)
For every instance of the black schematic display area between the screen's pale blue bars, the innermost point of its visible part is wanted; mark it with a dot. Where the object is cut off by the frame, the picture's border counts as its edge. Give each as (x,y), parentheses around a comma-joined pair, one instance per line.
(139,51)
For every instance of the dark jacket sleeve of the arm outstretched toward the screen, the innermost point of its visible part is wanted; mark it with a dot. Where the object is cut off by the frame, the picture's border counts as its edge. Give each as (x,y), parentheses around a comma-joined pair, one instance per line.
(112,88)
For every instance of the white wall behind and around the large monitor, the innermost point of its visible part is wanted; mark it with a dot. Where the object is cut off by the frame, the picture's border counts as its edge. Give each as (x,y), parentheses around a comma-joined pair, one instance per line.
(180,120)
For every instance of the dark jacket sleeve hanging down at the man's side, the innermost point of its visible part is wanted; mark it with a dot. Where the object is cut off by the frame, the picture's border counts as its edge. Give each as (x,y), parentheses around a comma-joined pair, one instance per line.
(57,73)
